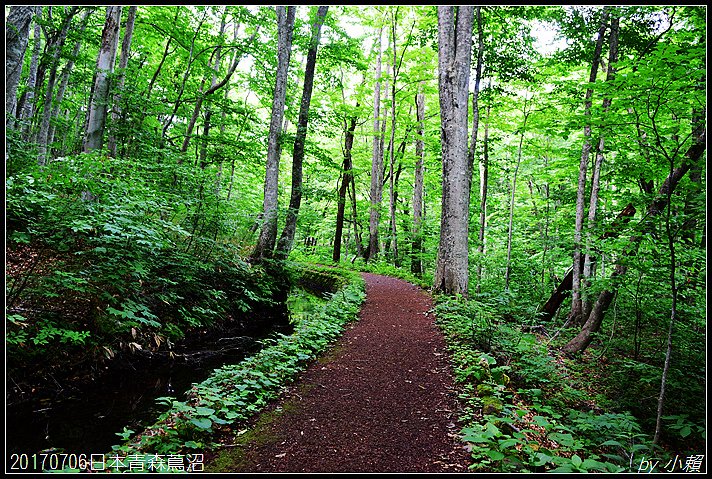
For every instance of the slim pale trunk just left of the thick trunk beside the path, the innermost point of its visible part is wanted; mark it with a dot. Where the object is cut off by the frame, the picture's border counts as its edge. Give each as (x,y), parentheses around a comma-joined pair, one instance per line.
(416,262)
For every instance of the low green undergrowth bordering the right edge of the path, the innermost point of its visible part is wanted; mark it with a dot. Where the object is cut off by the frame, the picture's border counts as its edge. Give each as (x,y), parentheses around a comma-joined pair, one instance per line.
(525,410)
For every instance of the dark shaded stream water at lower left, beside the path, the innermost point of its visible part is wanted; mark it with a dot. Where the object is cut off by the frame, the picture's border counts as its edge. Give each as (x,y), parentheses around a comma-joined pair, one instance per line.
(86,421)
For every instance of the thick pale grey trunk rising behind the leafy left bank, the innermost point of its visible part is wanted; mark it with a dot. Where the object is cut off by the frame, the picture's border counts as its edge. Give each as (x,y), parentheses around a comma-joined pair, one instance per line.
(104,67)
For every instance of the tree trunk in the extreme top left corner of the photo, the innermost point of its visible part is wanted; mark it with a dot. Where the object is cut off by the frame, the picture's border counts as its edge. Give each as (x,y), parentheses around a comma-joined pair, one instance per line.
(17,33)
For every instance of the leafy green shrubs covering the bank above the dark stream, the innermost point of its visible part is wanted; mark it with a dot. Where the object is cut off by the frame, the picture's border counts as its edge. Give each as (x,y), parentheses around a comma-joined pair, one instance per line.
(133,262)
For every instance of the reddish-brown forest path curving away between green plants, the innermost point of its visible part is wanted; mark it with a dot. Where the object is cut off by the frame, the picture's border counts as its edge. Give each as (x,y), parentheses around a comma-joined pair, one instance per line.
(382,400)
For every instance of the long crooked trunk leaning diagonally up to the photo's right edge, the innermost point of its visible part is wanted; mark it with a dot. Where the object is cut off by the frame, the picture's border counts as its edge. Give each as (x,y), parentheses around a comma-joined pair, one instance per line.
(593,323)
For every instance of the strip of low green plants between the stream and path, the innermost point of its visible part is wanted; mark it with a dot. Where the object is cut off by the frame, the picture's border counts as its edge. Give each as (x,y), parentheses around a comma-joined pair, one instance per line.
(234,393)
